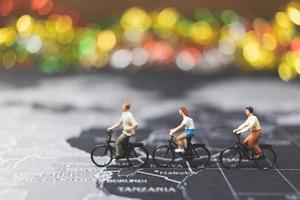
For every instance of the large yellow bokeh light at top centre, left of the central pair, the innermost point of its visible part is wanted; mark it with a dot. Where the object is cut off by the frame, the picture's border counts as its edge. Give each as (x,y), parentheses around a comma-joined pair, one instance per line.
(135,19)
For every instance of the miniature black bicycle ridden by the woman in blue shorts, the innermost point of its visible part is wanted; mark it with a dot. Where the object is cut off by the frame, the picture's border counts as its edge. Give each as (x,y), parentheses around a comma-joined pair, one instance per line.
(197,155)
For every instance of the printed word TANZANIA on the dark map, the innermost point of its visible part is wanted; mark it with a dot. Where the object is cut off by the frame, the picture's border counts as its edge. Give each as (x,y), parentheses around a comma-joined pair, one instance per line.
(147,189)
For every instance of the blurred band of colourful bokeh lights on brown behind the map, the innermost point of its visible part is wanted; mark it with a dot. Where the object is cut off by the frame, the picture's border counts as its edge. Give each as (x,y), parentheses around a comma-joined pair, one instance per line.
(205,36)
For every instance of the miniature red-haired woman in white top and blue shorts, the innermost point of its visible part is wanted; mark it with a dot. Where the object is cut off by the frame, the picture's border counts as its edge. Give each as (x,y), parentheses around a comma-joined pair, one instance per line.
(186,123)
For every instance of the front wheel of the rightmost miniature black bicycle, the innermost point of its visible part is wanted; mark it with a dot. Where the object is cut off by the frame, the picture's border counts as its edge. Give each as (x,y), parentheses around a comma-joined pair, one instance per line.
(230,158)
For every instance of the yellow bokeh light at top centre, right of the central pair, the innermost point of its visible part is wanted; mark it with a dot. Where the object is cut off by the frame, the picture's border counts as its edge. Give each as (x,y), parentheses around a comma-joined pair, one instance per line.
(167,18)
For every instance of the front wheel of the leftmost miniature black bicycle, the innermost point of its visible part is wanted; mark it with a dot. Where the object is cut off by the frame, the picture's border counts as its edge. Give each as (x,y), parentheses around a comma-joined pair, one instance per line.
(102,155)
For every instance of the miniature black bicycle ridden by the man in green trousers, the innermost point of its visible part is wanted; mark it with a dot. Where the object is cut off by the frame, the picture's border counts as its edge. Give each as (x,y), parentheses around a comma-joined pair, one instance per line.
(135,153)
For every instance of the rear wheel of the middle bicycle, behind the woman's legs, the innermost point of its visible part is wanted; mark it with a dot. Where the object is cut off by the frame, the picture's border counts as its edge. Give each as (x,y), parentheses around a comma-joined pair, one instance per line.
(200,157)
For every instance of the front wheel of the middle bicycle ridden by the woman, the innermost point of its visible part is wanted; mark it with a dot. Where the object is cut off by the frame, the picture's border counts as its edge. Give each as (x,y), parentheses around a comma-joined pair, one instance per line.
(163,156)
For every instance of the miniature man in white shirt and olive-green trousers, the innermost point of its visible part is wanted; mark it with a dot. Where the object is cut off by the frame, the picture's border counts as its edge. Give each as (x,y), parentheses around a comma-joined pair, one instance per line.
(129,125)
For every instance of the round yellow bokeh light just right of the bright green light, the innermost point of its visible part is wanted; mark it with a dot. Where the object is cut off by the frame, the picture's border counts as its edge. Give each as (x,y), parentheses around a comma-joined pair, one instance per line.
(106,40)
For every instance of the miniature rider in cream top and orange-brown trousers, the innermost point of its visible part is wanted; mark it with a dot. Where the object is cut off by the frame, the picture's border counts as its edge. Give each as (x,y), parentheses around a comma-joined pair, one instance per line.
(252,125)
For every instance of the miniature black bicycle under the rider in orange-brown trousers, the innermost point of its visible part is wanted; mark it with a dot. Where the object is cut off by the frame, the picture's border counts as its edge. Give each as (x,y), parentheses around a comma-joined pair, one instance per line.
(232,156)
